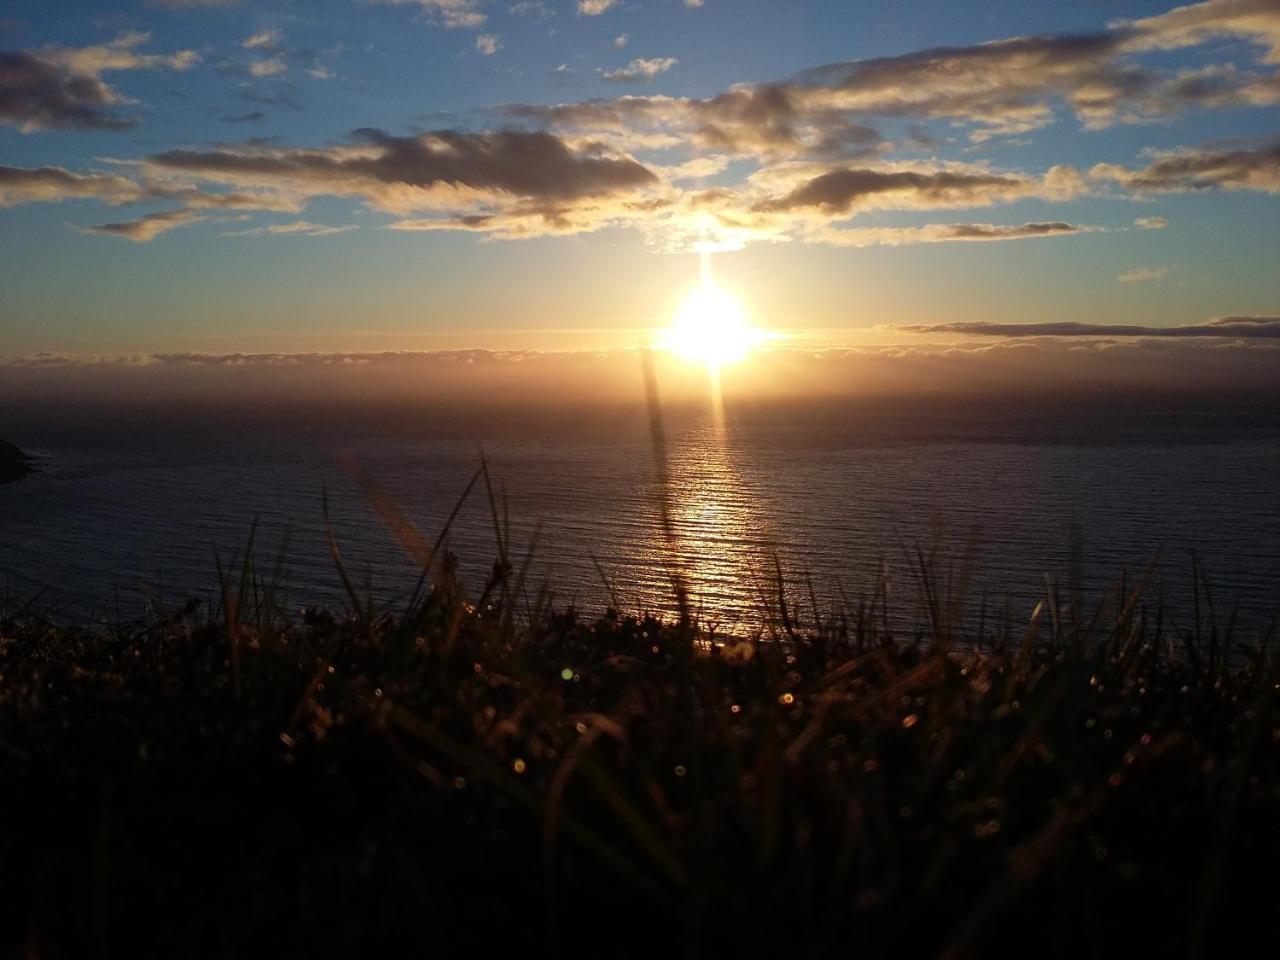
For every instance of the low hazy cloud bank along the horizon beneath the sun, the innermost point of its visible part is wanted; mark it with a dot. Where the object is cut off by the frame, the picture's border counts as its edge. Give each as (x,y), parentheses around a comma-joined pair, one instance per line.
(1126,374)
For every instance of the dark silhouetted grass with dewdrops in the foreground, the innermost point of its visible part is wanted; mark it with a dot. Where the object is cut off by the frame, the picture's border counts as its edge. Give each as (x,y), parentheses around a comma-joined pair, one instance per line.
(499,775)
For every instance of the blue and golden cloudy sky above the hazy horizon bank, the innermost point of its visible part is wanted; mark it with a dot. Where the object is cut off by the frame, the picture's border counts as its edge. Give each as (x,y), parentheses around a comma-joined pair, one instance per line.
(220,177)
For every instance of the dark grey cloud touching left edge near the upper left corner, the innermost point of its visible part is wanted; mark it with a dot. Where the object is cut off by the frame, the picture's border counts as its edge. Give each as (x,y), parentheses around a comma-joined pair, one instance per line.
(63,89)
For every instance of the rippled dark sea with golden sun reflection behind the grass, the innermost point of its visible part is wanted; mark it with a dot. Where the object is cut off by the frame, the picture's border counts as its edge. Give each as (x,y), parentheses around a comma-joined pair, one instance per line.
(129,508)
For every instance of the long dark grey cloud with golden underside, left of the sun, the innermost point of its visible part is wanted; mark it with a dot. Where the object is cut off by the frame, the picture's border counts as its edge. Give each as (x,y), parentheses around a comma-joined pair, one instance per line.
(510,184)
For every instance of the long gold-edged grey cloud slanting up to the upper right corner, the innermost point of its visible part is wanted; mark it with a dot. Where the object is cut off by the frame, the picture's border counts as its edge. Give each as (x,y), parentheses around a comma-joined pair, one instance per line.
(1002,89)
